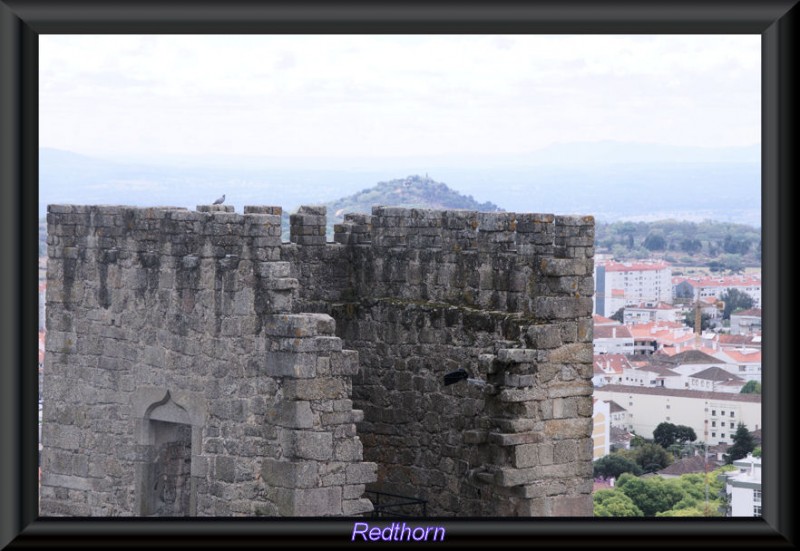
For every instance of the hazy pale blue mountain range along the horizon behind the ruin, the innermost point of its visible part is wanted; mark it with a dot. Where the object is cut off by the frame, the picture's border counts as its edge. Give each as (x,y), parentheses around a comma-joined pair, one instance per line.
(613,181)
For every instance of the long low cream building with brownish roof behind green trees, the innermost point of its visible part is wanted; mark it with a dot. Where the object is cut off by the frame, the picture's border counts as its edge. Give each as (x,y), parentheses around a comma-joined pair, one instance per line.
(714,416)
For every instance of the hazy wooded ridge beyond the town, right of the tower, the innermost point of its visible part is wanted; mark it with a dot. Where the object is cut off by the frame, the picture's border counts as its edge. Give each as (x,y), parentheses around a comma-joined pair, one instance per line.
(719,245)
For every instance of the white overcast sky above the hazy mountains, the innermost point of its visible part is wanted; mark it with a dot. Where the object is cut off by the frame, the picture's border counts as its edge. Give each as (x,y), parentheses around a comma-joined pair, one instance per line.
(383,96)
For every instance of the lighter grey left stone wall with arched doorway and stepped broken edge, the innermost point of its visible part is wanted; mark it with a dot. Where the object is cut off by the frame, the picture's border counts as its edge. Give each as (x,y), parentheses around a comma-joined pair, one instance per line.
(163,323)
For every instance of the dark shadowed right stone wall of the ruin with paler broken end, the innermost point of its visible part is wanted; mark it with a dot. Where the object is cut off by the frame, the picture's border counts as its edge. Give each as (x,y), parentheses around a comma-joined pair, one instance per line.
(507,297)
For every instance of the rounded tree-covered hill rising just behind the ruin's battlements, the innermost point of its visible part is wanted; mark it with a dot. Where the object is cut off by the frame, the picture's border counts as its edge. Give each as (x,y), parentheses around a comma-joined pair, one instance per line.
(411,192)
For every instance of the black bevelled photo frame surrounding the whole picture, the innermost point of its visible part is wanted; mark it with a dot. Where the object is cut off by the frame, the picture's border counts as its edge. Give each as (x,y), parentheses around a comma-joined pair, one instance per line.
(21,21)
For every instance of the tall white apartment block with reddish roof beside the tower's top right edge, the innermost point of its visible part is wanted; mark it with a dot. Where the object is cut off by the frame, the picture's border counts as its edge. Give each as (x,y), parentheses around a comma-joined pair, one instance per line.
(630,283)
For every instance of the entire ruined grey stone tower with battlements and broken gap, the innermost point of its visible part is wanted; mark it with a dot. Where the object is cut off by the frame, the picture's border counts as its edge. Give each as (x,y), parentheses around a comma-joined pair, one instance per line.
(197,365)
